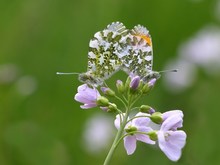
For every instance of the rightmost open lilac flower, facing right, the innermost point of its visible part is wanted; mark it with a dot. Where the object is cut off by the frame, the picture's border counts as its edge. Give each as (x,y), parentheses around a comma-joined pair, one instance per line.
(170,140)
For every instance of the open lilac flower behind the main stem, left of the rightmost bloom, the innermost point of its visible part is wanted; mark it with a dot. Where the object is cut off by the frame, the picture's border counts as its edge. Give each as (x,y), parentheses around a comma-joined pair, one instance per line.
(133,129)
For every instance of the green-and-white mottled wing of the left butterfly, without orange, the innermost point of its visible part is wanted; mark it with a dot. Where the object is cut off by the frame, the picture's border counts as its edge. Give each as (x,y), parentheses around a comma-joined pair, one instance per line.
(104,51)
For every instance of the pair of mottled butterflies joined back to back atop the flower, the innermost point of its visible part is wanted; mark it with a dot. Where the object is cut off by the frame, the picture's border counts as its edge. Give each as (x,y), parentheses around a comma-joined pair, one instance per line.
(117,48)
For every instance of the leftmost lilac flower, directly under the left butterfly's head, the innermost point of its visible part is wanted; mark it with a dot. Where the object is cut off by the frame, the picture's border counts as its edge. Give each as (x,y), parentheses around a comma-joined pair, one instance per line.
(88,96)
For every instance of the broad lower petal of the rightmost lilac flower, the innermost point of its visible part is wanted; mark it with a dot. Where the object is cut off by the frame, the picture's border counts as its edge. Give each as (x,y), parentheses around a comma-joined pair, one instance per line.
(173,144)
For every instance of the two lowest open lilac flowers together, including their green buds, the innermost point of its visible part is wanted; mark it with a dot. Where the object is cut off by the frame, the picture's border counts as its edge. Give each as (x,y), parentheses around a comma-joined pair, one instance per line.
(156,128)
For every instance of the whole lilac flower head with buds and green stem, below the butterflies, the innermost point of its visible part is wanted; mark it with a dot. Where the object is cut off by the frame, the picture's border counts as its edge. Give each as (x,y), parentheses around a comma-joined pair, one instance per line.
(148,125)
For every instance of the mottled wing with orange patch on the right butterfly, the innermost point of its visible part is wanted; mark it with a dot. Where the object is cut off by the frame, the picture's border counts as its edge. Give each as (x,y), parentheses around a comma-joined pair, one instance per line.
(140,60)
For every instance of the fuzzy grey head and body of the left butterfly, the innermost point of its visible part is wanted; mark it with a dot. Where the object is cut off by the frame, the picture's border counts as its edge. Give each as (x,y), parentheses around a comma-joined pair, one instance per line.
(87,78)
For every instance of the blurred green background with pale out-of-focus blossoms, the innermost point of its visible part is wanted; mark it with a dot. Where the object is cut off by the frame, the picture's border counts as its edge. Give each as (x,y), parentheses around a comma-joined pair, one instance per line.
(41,124)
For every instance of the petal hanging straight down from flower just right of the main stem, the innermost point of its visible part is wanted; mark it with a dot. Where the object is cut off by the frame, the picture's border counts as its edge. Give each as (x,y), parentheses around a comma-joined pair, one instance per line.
(130,144)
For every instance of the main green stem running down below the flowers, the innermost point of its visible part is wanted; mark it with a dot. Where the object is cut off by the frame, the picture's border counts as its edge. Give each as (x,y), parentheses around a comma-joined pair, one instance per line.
(117,137)
